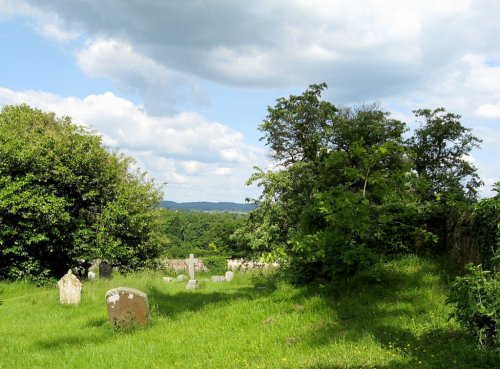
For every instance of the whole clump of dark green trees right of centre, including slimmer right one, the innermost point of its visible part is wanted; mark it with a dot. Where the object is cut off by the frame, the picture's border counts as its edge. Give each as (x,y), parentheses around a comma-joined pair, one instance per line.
(347,188)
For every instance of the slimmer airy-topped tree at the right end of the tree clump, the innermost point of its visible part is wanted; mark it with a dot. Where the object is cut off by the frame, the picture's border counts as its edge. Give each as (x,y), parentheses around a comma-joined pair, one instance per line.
(445,180)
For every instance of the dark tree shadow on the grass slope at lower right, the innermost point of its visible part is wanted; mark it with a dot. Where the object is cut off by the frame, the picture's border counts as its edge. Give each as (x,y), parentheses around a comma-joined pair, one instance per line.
(381,304)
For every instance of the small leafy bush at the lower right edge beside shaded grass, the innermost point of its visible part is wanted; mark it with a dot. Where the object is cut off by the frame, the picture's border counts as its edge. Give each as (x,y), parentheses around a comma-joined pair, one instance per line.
(475,298)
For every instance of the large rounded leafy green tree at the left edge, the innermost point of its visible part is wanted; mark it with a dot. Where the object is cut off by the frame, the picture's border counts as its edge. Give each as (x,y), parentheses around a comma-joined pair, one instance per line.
(65,197)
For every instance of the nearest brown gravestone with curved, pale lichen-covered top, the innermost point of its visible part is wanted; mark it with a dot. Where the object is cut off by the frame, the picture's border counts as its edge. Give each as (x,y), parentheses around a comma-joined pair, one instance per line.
(127,307)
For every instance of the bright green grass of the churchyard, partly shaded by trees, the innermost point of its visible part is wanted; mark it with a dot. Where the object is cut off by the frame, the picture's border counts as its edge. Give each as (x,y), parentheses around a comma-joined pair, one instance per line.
(392,317)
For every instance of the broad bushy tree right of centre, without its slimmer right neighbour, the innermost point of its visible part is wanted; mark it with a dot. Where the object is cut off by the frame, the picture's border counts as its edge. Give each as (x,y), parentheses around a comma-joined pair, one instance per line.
(335,192)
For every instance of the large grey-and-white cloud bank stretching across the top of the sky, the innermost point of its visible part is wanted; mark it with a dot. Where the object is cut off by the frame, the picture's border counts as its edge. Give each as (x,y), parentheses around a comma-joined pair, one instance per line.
(366,49)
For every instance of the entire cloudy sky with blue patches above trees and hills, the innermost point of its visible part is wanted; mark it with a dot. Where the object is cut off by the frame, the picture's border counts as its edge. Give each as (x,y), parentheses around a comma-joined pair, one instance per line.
(182,85)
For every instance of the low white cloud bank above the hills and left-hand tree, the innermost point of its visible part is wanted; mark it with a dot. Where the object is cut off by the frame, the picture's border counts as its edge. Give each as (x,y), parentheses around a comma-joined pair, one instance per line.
(194,156)
